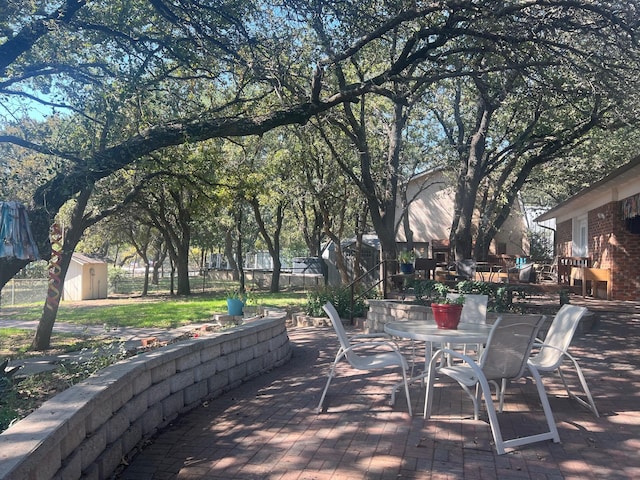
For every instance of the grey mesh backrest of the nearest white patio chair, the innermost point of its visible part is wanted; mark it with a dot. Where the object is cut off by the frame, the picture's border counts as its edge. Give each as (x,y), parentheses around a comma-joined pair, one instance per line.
(509,346)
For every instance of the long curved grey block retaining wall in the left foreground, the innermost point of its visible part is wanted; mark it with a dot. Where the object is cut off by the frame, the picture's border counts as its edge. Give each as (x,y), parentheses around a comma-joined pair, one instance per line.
(87,430)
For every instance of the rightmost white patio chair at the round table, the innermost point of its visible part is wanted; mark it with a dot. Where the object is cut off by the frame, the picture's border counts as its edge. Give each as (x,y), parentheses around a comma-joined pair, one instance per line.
(554,350)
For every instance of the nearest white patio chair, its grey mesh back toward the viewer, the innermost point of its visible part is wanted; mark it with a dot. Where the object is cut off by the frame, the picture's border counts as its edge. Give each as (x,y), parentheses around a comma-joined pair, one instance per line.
(504,358)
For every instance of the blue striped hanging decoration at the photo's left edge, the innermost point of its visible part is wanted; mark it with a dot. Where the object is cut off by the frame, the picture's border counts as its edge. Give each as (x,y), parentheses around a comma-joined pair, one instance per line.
(16,239)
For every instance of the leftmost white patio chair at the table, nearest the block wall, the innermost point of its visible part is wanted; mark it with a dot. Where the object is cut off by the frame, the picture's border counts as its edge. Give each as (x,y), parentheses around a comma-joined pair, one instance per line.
(369,361)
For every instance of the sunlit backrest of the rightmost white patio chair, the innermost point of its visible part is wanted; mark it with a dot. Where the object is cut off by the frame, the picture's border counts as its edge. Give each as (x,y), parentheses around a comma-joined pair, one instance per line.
(559,336)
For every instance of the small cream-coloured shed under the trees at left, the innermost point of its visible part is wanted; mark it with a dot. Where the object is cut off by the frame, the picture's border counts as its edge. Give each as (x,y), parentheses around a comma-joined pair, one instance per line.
(86,279)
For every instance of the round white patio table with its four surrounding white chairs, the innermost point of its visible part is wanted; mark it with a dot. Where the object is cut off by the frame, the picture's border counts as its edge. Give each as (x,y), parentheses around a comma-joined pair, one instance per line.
(475,355)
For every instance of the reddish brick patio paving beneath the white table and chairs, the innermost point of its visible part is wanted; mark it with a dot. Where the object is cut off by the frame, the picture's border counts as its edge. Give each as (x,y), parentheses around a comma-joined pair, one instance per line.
(268,428)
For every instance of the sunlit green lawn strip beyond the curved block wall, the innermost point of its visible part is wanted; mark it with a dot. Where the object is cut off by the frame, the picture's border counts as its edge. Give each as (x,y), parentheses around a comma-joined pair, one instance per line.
(152,311)
